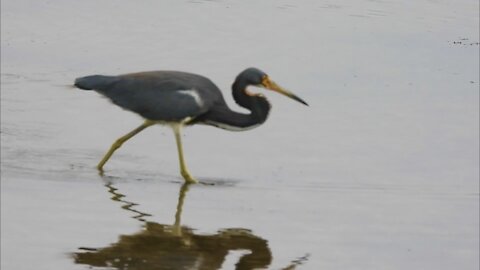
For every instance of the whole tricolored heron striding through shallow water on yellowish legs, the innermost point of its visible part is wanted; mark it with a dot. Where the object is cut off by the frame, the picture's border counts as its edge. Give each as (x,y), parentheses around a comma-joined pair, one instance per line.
(178,98)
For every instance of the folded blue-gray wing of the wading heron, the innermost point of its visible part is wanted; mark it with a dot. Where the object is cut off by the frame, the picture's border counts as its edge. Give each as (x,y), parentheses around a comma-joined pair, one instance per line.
(160,95)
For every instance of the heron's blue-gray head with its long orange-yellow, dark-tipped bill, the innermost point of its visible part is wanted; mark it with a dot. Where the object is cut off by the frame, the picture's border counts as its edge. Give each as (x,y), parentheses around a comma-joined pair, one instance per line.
(254,76)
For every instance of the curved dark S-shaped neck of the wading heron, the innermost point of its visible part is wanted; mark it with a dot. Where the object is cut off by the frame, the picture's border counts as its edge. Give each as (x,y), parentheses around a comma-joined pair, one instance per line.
(235,121)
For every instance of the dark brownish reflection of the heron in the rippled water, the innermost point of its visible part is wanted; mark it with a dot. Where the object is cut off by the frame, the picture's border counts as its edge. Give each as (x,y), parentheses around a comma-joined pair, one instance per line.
(173,246)
